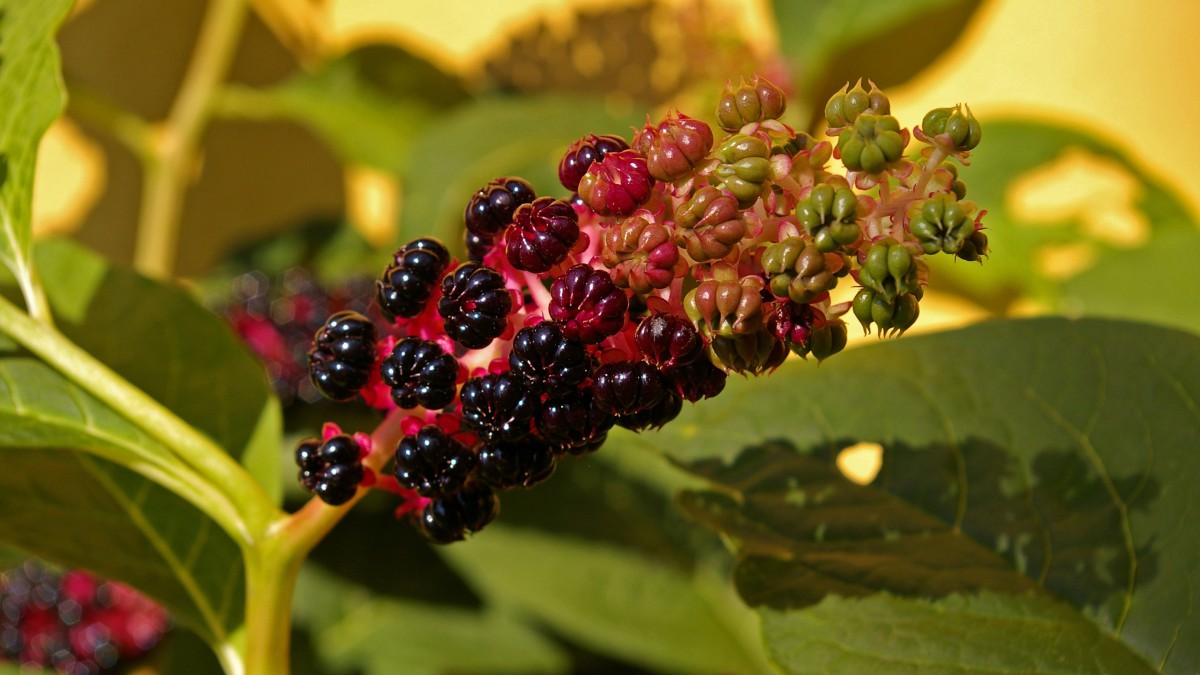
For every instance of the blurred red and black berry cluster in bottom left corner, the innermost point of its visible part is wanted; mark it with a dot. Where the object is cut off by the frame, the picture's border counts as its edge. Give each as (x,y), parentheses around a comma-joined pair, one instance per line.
(74,623)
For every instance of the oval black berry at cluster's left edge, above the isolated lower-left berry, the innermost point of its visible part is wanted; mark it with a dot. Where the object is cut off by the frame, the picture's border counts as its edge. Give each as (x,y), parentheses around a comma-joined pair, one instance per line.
(343,355)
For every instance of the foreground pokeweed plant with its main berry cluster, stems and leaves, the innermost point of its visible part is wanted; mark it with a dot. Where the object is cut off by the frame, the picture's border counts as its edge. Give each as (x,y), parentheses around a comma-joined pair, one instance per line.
(1033,512)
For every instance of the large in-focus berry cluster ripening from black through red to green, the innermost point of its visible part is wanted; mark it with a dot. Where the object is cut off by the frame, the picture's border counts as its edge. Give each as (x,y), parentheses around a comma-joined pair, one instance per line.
(680,258)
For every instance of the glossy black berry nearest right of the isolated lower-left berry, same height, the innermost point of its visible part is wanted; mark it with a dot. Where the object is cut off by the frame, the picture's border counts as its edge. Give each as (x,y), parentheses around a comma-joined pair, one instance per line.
(433,463)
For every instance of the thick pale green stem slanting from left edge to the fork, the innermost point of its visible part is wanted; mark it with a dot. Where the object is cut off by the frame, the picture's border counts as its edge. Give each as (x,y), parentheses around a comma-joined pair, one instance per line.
(237,503)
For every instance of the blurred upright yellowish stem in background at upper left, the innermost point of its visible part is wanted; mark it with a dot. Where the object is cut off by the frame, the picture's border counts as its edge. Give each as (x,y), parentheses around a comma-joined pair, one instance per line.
(171,163)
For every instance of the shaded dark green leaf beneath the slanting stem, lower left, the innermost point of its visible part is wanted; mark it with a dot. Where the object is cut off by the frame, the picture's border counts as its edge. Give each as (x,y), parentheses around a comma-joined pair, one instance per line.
(80,511)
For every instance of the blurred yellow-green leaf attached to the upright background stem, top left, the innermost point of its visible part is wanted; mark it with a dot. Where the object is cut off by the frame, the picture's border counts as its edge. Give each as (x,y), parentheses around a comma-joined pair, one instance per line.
(370,105)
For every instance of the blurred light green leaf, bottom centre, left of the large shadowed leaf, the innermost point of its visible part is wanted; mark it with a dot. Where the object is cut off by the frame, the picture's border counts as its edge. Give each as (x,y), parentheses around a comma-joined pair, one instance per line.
(607,599)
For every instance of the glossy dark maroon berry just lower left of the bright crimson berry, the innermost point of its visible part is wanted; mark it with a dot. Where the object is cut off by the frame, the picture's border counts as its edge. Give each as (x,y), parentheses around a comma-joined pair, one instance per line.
(542,236)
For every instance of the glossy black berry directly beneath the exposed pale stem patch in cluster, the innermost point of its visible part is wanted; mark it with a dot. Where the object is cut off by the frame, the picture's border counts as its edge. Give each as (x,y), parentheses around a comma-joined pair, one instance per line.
(499,407)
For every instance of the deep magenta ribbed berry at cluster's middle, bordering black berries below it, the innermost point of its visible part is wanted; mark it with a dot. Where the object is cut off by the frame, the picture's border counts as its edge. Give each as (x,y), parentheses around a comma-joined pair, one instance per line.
(587,304)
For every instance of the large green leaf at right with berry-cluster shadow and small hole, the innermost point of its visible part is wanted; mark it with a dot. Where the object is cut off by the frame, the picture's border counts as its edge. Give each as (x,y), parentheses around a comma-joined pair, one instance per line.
(1048,455)
